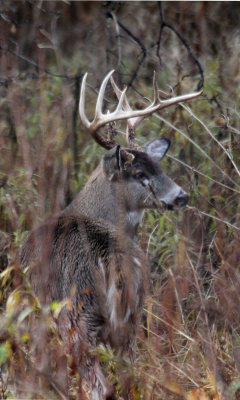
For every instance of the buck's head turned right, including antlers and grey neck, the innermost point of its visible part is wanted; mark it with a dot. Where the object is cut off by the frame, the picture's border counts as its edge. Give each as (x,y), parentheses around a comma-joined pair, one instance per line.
(137,170)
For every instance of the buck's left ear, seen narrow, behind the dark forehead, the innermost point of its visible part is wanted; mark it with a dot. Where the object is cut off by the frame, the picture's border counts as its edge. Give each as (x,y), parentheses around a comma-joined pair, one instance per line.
(111,163)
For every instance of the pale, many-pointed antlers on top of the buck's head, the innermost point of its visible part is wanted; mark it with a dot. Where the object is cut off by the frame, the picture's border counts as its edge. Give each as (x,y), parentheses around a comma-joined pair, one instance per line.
(123,110)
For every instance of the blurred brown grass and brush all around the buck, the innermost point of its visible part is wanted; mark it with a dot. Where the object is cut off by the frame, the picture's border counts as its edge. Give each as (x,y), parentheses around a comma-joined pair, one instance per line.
(190,337)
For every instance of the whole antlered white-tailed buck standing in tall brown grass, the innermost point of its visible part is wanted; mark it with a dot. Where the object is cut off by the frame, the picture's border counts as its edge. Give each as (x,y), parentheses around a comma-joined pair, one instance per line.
(89,255)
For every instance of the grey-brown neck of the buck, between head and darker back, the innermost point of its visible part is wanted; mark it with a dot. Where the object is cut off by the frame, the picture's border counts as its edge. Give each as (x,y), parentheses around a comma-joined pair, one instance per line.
(102,199)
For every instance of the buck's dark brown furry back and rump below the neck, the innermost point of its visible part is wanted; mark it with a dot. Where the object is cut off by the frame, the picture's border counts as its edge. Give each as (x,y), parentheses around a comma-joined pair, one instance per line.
(99,271)
